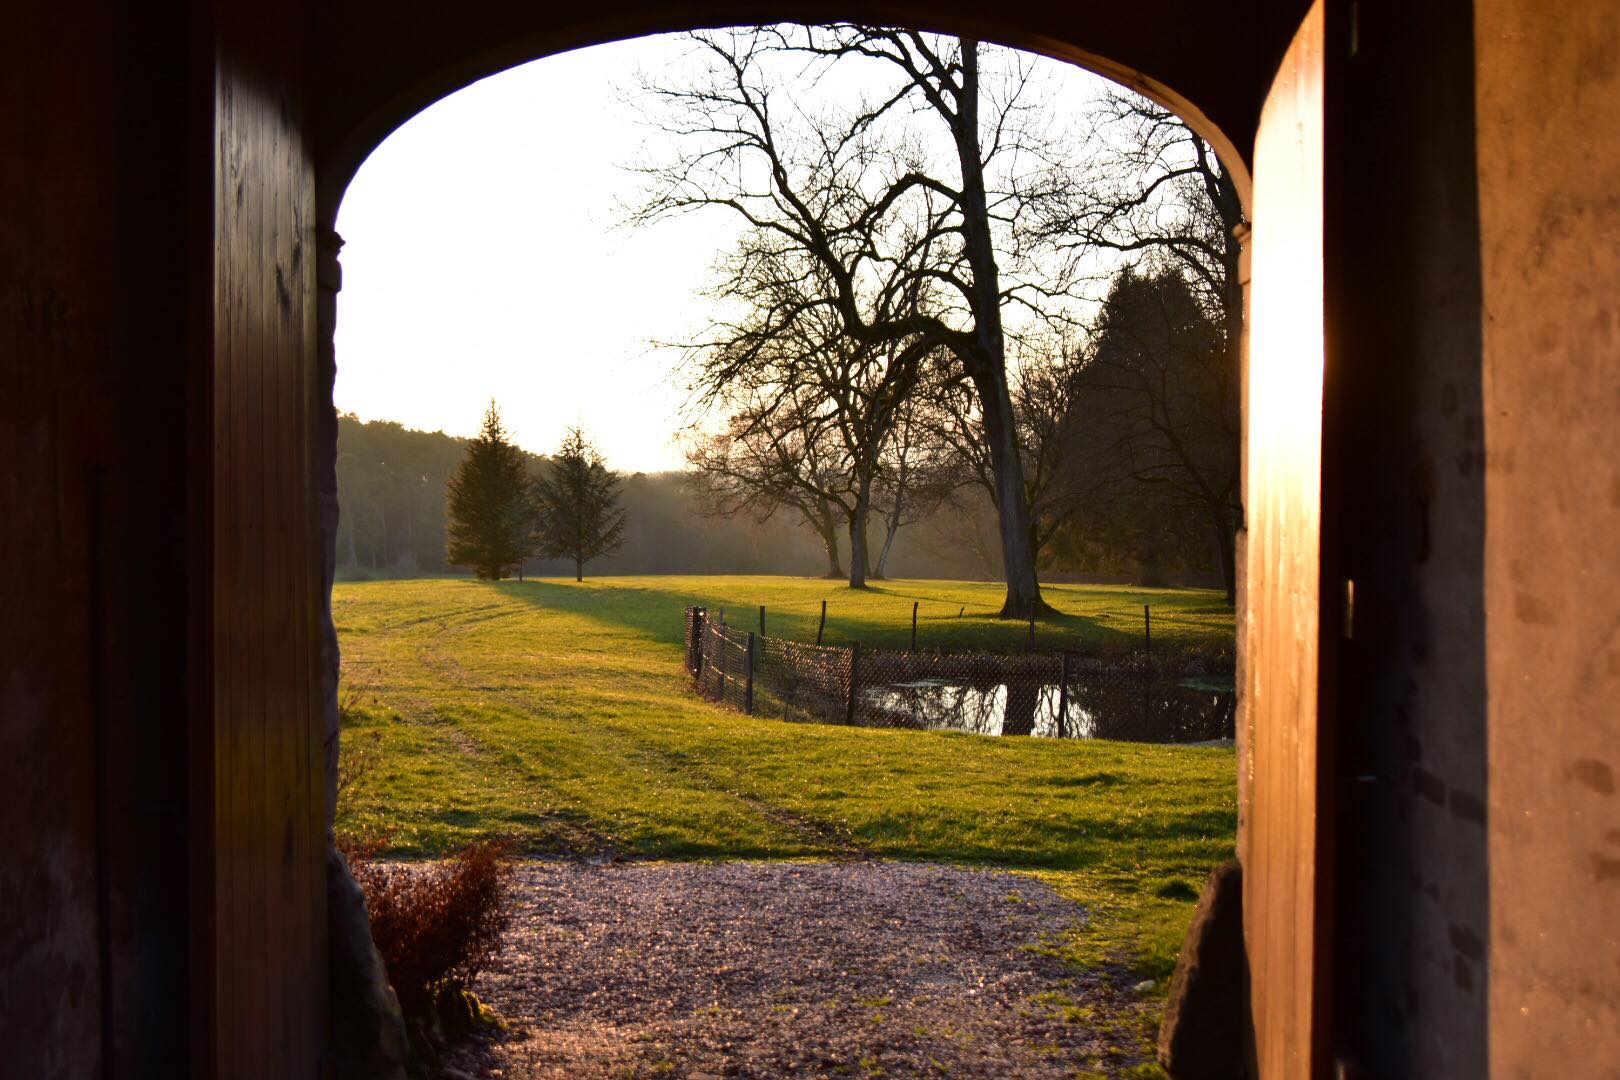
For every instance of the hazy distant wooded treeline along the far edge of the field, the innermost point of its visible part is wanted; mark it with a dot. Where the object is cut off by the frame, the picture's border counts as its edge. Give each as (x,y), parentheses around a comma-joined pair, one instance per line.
(391,496)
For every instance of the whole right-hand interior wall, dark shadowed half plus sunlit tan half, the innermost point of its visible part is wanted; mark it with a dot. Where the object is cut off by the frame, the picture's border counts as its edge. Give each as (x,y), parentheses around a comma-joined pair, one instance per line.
(1480,399)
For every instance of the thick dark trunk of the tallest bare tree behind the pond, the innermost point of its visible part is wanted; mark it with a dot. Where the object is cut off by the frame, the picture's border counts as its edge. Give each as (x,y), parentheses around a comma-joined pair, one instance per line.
(989,367)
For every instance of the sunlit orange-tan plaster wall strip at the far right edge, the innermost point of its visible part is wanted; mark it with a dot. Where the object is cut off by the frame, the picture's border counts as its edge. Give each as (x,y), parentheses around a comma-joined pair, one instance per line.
(1550,190)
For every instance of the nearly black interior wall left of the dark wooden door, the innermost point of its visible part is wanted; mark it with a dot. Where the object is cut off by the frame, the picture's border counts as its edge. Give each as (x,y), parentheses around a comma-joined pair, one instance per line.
(95,530)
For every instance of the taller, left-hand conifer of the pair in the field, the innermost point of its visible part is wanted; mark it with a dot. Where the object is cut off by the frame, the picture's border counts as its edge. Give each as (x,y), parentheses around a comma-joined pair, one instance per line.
(492,521)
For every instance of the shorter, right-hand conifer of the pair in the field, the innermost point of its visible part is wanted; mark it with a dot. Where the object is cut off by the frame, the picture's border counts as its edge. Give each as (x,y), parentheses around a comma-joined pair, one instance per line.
(579,506)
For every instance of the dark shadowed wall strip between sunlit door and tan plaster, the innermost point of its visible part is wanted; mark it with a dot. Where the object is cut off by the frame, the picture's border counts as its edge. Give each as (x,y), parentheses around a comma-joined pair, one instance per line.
(1404,415)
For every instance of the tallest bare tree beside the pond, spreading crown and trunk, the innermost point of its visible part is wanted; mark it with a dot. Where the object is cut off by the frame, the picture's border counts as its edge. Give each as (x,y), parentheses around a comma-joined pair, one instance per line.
(872,218)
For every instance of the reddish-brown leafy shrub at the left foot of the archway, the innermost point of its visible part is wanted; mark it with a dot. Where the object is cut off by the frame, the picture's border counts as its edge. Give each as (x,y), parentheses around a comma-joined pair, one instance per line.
(435,925)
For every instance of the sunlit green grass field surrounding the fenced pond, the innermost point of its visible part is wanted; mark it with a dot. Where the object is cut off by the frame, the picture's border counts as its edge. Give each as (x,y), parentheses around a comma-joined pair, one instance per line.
(560,715)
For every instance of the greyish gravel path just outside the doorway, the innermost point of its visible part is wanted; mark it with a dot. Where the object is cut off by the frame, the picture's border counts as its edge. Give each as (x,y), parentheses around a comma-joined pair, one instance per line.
(795,971)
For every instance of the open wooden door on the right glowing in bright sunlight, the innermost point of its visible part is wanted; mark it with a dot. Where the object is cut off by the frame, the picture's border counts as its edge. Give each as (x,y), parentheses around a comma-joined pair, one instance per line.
(1282,819)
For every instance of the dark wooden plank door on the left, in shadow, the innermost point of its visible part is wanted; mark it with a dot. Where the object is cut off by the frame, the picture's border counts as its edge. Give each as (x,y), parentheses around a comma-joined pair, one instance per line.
(270,893)
